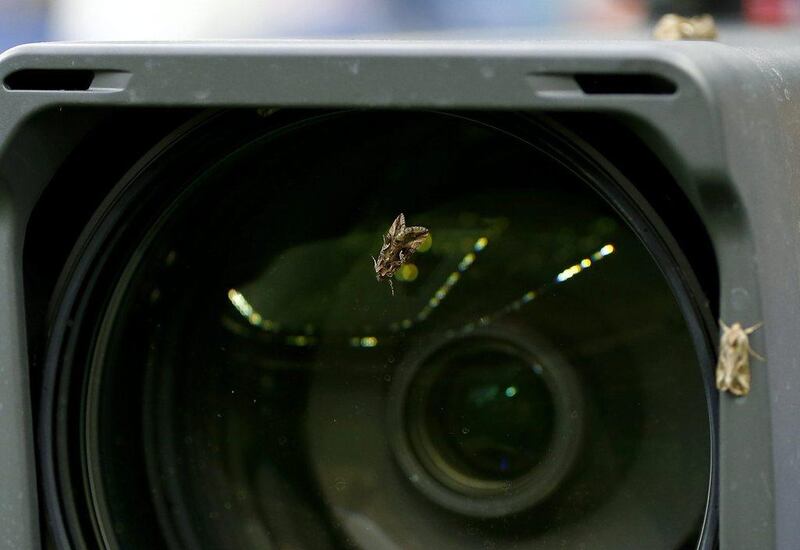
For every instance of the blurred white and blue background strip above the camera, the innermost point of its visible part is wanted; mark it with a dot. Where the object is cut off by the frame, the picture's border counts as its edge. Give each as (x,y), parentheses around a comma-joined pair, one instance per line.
(36,20)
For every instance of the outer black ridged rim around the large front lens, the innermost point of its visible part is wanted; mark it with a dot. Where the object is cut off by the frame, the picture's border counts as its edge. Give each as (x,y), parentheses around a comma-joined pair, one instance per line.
(88,269)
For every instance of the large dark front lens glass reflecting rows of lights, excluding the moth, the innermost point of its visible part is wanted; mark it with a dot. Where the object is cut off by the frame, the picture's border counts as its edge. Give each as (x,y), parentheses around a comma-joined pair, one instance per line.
(533,382)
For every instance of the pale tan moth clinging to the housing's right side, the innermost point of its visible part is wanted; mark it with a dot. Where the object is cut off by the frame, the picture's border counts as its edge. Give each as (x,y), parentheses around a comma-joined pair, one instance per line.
(733,367)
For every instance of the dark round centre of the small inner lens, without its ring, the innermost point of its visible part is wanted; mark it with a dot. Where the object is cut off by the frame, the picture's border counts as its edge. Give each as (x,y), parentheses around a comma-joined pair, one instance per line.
(485,416)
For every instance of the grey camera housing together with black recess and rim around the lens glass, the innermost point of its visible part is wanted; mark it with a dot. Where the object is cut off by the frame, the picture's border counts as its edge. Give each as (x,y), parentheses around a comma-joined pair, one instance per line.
(722,124)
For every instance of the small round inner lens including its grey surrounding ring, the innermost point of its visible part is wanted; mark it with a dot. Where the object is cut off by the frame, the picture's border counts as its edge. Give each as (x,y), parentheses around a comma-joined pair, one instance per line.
(488,424)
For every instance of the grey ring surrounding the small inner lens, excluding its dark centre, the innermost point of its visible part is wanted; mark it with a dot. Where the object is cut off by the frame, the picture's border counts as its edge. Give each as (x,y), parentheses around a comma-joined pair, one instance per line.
(484,499)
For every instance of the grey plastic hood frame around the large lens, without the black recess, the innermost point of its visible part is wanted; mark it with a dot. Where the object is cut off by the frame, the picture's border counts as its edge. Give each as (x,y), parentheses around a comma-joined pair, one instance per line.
(730,136)
